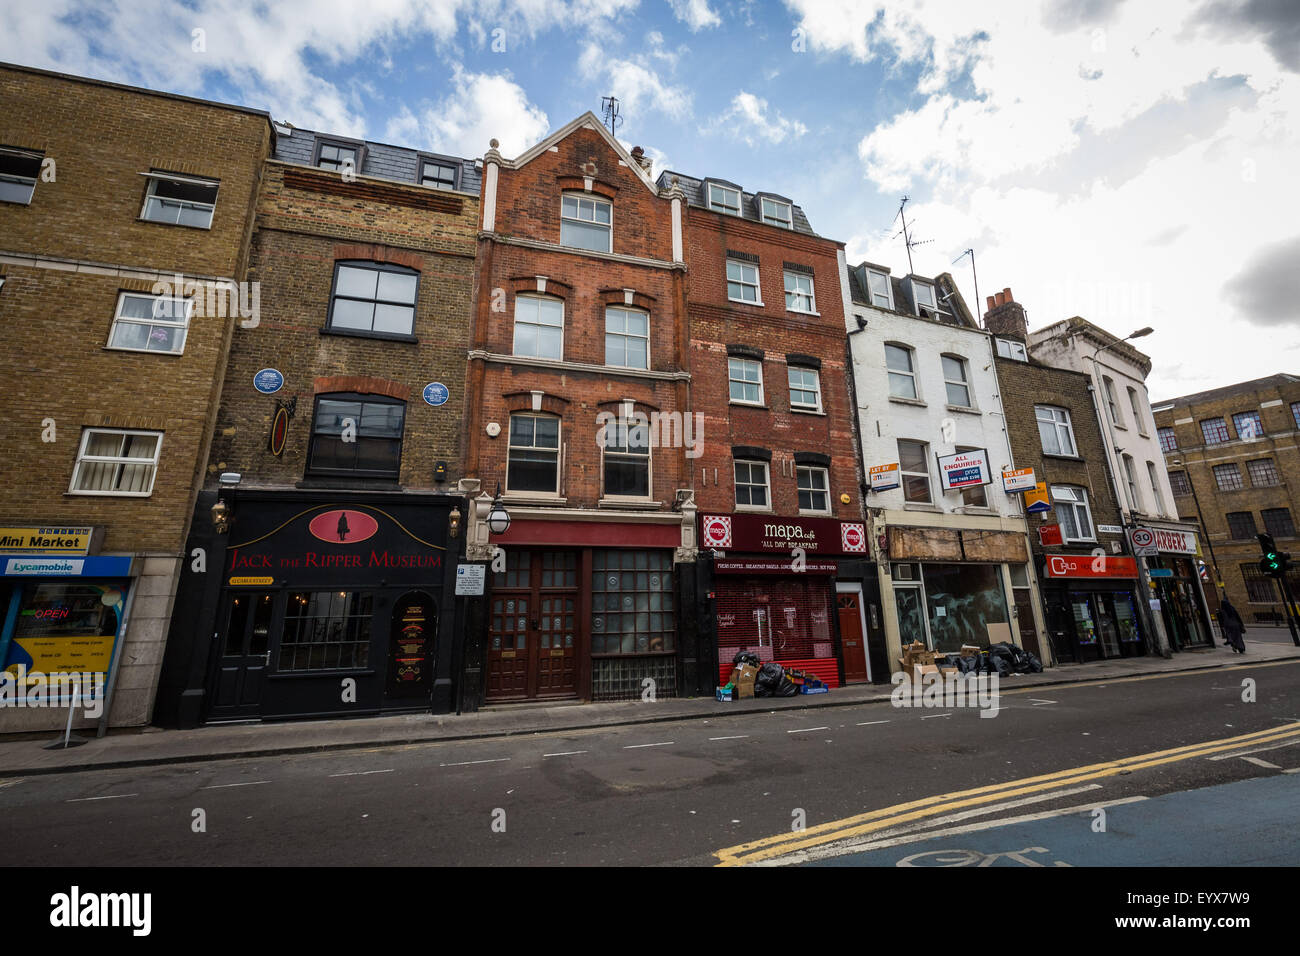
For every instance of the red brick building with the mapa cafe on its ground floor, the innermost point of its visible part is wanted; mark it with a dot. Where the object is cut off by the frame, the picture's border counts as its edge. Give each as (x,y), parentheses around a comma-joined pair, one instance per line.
(783,546)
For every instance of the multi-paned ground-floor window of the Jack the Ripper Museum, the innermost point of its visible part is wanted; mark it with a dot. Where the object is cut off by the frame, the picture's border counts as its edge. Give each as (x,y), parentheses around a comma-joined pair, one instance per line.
(326,630)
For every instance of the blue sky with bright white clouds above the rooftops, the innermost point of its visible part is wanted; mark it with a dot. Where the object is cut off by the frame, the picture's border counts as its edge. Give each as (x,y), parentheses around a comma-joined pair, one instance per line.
(1133,162)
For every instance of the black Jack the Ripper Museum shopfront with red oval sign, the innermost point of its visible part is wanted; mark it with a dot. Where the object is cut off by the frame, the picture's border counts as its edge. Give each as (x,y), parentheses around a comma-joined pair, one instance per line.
(317,605)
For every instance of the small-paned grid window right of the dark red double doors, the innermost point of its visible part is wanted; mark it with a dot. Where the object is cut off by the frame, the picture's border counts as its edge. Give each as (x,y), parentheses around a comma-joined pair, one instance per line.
(632,603)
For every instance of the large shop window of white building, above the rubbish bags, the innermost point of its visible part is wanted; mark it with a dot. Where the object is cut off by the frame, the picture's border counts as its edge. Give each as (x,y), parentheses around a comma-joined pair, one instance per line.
(964,602)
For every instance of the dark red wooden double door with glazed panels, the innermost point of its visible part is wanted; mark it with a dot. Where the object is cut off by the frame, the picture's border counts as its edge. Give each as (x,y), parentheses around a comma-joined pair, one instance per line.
(534,628)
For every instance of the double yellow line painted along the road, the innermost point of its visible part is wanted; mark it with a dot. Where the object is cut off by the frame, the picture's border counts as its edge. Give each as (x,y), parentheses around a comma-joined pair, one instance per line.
(874,821)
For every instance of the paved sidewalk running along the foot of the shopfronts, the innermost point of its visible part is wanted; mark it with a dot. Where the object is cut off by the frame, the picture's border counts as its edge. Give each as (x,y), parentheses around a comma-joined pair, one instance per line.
(153,746)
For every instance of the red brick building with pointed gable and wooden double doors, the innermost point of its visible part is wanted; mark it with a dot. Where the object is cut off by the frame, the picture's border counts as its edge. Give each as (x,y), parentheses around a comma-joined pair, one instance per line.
(579,387)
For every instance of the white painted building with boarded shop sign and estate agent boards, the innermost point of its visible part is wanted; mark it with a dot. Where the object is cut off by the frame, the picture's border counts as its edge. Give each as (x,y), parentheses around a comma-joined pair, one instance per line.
(952,565)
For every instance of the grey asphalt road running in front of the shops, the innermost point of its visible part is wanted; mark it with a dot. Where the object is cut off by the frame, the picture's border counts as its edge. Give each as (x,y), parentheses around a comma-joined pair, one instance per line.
(682,793)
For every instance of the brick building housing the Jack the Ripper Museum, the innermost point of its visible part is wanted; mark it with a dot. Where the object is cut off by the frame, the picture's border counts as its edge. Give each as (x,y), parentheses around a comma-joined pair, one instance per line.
(340,547)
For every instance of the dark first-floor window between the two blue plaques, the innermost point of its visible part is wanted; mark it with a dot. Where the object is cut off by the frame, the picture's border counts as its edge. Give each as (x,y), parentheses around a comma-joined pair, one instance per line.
(357,436)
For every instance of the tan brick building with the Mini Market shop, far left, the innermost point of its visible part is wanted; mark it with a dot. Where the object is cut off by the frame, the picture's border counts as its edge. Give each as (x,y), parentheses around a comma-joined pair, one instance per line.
(118,367)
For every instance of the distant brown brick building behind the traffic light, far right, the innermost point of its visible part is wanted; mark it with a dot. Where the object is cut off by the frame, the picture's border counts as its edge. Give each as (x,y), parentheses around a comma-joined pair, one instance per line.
(1234,468)
